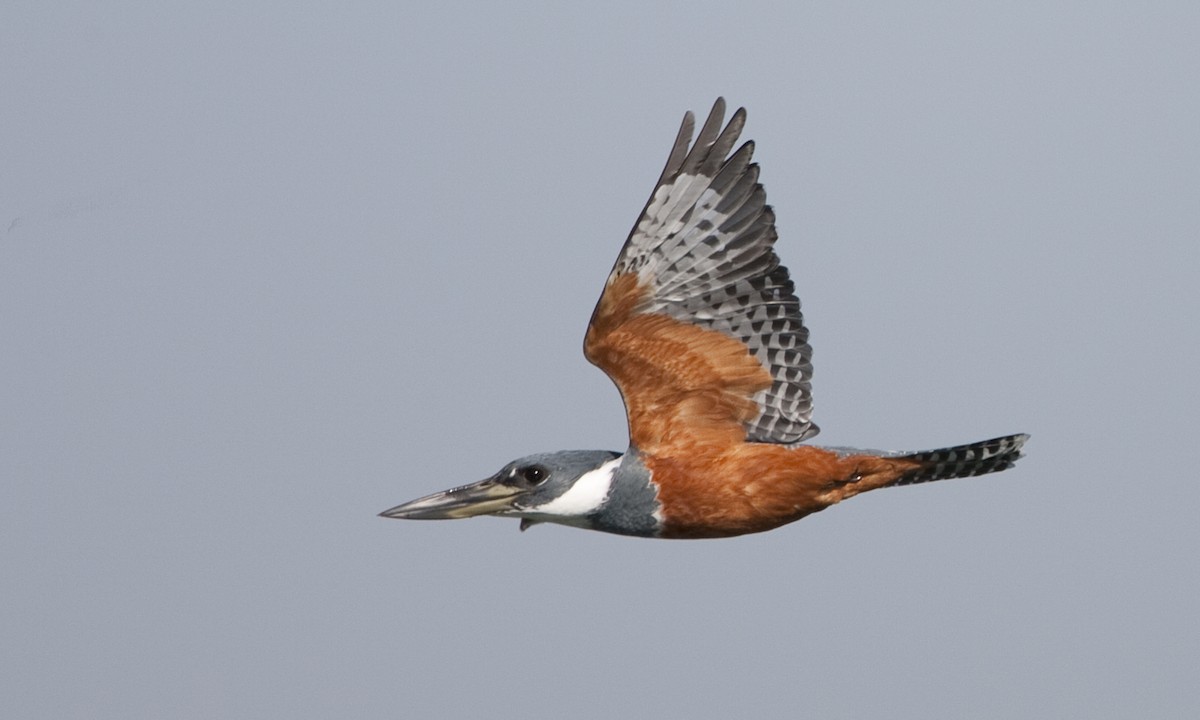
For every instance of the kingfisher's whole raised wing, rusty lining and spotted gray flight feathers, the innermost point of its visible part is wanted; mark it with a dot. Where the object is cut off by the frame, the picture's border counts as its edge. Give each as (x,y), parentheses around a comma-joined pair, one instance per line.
(699,325)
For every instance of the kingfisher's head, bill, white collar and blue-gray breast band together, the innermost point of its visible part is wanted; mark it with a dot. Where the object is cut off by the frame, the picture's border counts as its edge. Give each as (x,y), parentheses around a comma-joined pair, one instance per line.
(574,488)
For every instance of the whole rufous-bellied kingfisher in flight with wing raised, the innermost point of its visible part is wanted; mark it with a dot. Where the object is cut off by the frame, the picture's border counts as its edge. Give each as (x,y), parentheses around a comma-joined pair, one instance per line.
(700,329)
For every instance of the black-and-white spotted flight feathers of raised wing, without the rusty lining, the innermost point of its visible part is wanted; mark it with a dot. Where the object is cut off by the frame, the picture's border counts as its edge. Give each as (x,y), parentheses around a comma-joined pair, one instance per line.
(705,244)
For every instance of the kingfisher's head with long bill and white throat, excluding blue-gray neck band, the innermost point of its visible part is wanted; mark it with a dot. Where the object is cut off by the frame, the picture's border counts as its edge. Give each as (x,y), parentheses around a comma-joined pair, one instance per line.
(568,488)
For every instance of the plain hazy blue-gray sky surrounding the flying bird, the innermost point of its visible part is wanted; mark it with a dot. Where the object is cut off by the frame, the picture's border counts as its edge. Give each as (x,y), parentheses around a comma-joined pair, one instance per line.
(266,272)
